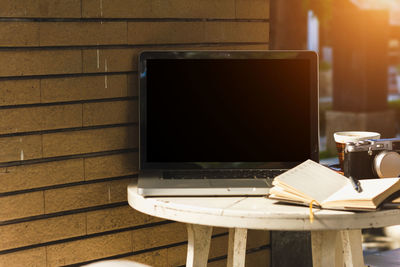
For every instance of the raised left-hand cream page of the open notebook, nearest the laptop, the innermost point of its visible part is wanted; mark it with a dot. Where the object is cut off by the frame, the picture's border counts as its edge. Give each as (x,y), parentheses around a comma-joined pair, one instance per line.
(313,180)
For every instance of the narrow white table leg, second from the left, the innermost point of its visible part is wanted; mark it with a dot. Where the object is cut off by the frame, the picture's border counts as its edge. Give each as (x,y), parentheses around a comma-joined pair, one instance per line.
(237,247)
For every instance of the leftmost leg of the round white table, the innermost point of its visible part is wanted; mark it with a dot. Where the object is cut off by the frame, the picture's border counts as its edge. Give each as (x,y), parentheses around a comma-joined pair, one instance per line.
(199,238)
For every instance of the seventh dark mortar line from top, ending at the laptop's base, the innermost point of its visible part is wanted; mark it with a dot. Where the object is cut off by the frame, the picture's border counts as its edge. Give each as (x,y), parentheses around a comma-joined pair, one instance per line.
(58,186)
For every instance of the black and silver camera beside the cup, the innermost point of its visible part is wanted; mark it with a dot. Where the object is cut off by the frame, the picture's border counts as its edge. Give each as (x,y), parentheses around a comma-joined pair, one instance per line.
(373,158)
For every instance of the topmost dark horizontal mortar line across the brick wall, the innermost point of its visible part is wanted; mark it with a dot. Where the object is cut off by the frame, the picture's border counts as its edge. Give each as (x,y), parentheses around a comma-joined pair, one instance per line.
(171,19)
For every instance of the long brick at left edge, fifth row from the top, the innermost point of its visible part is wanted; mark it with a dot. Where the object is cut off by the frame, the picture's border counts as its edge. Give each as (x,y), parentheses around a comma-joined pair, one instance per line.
(40,118)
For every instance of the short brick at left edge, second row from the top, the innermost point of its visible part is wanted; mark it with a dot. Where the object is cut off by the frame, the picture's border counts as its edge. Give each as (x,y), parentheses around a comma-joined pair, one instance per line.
(27,33)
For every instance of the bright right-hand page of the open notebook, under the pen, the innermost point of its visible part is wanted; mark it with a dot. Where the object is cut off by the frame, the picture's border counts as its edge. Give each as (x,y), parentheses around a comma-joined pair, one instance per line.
(371,189)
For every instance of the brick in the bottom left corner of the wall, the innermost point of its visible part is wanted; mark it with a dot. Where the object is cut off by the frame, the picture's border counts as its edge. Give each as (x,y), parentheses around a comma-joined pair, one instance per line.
(30,257)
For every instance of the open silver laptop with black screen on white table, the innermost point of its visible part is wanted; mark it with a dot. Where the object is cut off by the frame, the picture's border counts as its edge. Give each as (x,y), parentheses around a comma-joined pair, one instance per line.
(219,123)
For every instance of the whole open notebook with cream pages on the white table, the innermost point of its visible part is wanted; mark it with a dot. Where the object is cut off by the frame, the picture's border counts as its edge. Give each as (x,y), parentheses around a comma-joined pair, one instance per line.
(311,181)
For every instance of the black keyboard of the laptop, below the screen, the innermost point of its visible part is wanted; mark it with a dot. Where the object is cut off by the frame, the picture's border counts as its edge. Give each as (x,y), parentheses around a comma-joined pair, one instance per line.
(221,174)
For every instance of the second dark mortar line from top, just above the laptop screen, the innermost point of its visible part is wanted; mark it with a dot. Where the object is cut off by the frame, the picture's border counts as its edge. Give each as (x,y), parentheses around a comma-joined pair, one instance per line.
(119,46)
